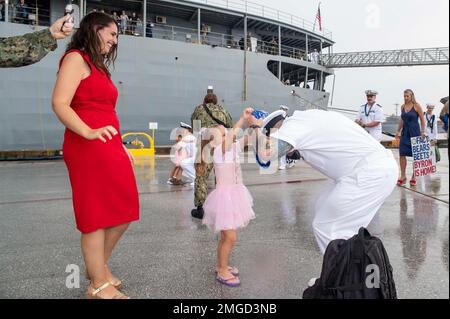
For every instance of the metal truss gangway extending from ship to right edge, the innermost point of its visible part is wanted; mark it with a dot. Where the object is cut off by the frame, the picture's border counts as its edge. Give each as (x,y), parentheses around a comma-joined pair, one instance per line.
(407,57)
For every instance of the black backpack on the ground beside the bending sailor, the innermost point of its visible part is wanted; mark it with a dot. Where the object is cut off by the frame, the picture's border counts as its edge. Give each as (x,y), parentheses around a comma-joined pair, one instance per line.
(350,269)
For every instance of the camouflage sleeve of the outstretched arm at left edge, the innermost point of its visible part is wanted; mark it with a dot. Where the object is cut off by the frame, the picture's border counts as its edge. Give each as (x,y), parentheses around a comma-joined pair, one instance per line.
(26,49)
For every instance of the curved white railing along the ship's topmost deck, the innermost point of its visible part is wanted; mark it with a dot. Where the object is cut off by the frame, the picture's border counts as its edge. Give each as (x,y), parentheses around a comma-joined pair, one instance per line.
(269,13)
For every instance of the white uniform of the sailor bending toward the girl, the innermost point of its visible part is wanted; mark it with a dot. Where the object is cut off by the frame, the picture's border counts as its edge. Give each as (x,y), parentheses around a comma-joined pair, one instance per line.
(364,173)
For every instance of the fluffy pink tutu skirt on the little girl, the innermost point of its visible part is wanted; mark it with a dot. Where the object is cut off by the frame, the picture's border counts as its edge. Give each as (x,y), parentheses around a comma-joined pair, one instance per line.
(228,207)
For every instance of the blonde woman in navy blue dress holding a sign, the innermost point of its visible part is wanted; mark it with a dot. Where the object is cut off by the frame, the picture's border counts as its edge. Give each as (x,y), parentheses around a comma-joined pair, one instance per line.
(408,128)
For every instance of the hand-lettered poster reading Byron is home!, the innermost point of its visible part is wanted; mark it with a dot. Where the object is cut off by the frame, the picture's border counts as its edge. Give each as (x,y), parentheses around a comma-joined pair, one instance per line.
(424,157)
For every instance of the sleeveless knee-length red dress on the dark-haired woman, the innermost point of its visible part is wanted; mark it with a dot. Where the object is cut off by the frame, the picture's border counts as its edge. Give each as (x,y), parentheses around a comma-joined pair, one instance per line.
(103,183)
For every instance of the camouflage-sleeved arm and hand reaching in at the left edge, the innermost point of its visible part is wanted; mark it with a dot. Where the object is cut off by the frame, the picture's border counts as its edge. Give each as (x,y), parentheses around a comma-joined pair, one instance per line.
(32,47)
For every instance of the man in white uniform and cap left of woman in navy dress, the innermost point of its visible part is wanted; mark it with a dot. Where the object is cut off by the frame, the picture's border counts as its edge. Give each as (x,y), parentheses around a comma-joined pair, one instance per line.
(371,116)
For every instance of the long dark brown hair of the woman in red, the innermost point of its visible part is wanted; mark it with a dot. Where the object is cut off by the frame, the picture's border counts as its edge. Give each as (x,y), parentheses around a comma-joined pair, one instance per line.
(87,39)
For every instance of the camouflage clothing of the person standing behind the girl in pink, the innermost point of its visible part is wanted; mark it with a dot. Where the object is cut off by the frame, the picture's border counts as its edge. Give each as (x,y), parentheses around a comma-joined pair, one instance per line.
(201,181)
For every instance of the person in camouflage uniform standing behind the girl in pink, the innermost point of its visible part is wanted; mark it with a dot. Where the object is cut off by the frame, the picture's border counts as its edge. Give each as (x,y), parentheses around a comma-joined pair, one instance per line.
(209,113)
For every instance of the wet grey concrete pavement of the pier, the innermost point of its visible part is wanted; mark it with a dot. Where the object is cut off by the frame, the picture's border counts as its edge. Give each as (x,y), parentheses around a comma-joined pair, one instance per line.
(167,254)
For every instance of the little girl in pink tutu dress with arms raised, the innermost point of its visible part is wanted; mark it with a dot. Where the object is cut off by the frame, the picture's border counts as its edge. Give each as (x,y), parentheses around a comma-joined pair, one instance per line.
(229,206)
